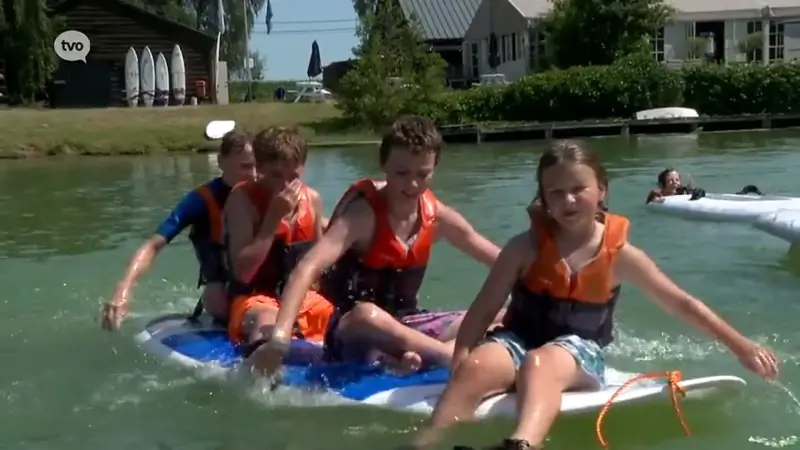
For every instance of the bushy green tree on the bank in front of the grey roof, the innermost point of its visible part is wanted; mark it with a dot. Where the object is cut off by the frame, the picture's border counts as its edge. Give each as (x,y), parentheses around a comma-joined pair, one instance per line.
(395,71)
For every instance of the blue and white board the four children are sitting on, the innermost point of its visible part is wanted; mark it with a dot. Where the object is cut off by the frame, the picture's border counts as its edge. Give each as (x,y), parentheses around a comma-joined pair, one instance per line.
(203,345)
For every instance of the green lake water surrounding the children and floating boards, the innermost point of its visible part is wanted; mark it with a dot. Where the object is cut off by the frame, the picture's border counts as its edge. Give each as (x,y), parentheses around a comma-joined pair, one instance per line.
(68,227)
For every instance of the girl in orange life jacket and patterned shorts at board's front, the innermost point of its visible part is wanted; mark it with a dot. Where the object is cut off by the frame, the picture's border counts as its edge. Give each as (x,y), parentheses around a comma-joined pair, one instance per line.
(564,275)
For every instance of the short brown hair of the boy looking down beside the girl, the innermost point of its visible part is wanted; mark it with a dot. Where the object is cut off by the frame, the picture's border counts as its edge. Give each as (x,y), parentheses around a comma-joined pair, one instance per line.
(415,134)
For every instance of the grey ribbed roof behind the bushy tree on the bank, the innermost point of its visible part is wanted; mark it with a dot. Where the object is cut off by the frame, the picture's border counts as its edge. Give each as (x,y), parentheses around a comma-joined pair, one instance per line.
(441,19)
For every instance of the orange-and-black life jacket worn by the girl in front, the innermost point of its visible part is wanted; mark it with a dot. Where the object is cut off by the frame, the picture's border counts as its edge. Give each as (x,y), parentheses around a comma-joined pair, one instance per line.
(550,301)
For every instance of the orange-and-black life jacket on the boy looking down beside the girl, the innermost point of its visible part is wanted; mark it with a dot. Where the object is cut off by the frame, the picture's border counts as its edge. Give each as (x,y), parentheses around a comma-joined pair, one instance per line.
(389,273)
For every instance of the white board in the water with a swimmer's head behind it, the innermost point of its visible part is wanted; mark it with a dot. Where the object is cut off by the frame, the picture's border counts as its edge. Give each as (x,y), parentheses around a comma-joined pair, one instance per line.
(724,207)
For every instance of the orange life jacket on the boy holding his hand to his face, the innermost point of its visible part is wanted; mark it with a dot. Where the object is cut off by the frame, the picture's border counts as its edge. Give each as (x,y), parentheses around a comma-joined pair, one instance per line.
(291,242)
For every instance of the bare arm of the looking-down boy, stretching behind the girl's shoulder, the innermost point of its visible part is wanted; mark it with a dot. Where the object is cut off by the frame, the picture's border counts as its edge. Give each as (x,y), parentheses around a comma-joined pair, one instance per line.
(458,232)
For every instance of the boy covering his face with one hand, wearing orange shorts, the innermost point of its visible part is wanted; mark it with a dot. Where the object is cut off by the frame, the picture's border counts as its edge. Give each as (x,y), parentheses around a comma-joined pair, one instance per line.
(270,224)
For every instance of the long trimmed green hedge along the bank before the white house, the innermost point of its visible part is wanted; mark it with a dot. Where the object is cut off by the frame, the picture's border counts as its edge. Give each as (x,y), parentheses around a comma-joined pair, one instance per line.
(618,91)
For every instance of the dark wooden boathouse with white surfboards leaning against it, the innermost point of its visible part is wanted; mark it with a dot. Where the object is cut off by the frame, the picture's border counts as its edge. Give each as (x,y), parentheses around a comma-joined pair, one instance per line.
(112,27)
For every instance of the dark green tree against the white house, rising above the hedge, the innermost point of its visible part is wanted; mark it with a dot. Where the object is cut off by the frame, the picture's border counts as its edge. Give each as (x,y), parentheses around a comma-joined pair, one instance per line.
(598,32)
